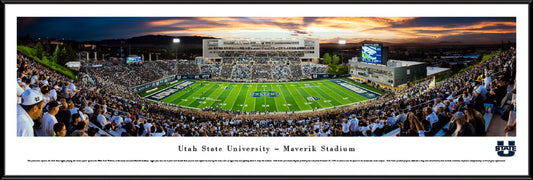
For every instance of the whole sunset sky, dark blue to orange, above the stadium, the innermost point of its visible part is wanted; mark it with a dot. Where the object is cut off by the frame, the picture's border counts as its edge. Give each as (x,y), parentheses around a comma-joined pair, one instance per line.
(465,30)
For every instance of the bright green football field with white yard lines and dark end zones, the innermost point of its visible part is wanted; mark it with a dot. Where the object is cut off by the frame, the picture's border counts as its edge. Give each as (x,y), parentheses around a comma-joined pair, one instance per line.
(263,97)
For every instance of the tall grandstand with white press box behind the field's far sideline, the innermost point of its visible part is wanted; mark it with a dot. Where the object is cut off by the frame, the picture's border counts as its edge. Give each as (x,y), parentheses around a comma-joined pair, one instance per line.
(261,60)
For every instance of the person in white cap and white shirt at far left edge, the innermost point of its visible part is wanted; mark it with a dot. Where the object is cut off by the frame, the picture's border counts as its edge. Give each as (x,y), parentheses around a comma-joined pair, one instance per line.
(30,108)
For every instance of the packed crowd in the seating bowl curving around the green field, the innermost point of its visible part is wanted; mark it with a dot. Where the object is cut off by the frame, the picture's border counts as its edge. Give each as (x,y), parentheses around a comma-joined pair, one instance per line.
(101,104)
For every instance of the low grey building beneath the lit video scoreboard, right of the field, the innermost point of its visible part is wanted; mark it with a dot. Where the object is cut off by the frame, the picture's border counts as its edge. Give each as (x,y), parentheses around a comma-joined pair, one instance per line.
(394,74)
